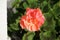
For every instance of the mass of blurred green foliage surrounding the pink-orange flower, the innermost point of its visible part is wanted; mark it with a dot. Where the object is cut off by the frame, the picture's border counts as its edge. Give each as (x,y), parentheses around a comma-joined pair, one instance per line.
(51,10)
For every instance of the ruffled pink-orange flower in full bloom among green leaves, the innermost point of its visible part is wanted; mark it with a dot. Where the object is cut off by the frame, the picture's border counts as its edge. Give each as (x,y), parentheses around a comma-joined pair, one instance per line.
(33,19)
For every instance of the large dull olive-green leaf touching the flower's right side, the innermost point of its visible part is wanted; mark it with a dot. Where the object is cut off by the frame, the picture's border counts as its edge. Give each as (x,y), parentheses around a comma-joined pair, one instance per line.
(49,24)
